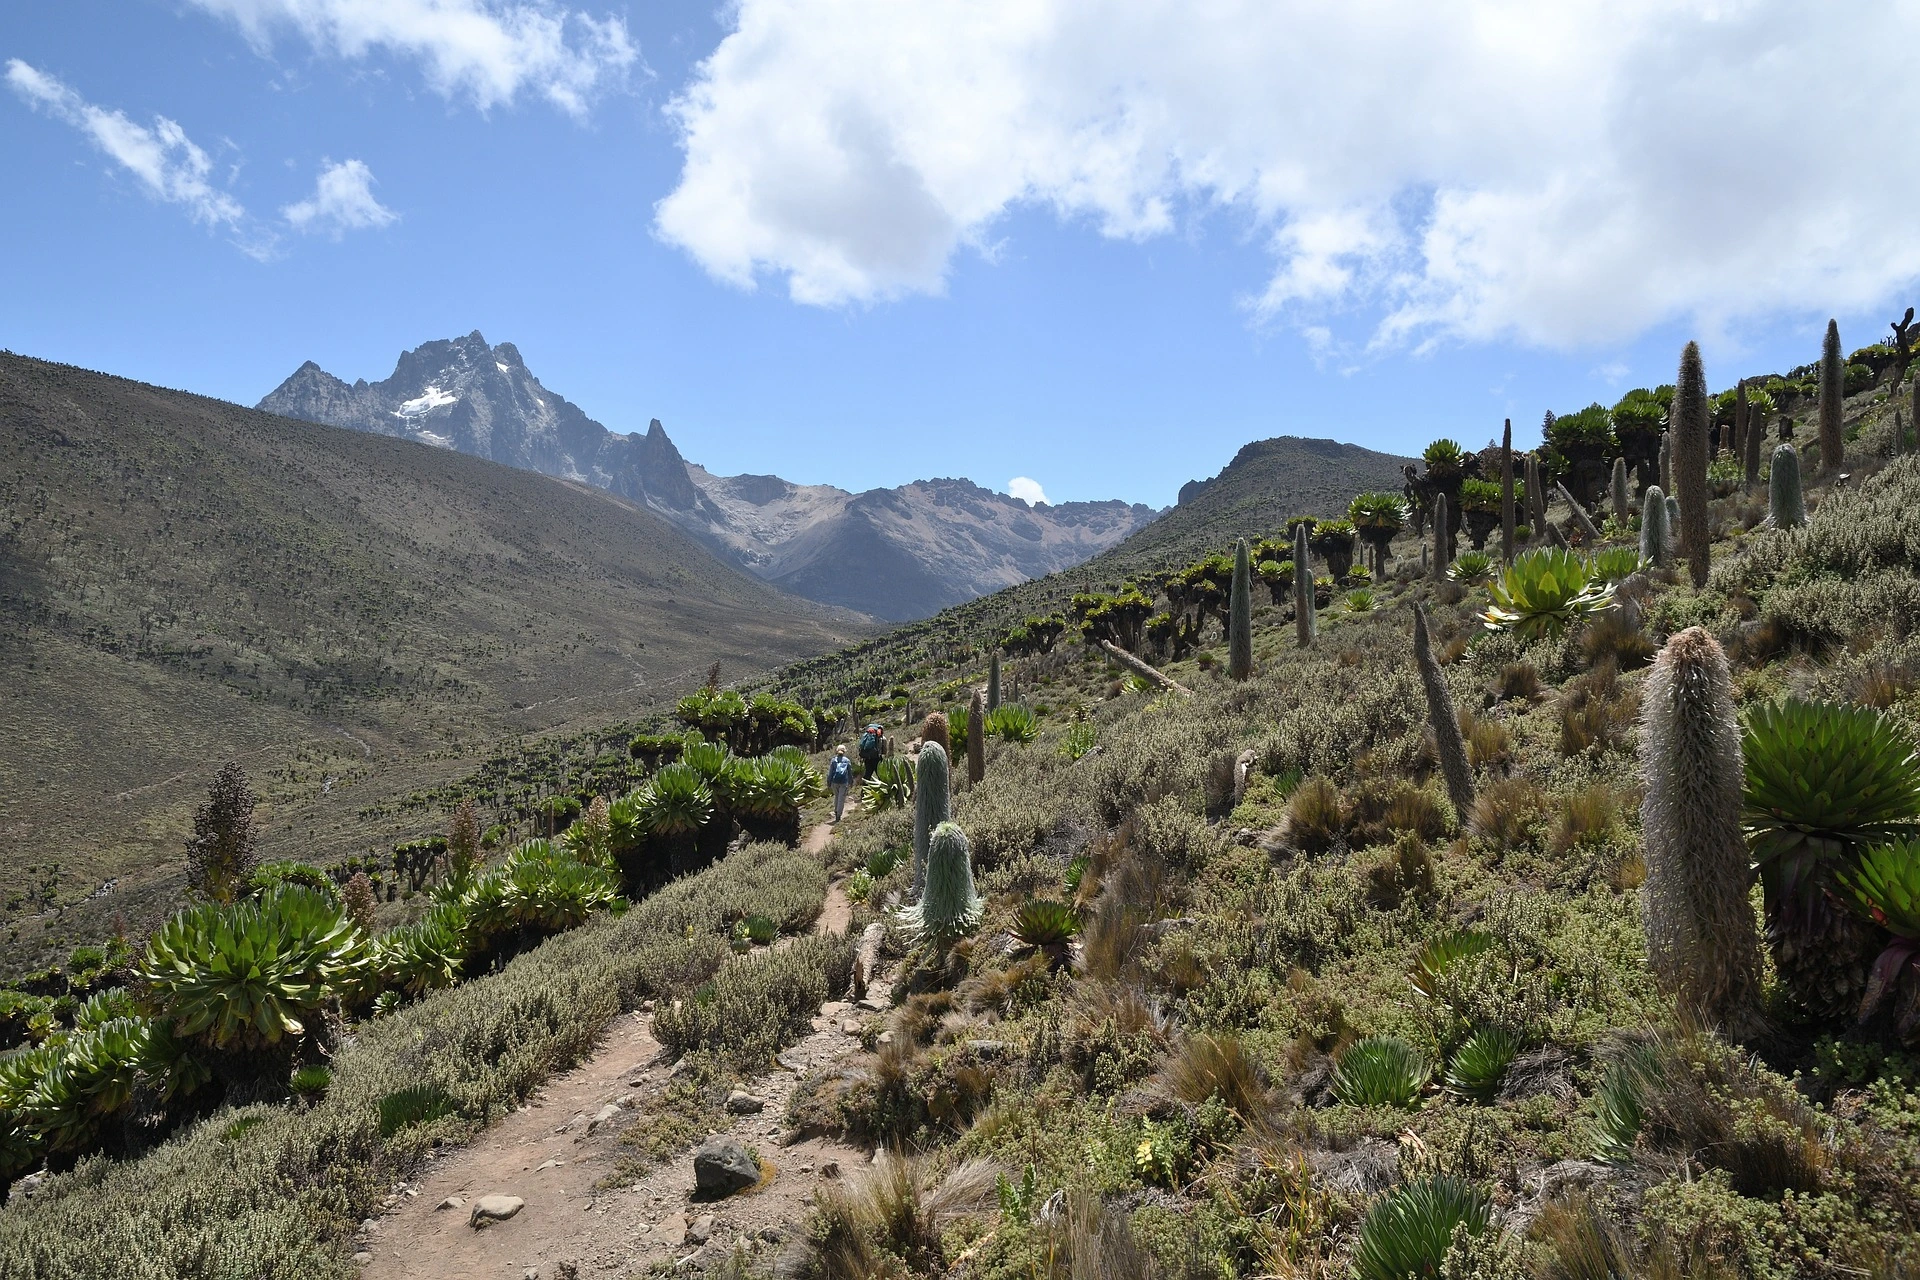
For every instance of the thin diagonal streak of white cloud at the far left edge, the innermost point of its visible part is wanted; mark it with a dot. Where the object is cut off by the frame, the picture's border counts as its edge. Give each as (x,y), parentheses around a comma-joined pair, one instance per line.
(162,158)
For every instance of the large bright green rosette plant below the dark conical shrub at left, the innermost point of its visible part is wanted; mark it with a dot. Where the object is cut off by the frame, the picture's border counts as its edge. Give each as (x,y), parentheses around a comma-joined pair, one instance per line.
(251,974)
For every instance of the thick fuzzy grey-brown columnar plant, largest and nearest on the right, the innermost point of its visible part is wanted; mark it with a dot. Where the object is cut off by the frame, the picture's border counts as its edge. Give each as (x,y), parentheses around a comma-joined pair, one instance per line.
(1702,943)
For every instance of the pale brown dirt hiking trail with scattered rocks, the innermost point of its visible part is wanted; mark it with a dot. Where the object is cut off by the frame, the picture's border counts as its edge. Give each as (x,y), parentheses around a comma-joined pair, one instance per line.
(558,1150)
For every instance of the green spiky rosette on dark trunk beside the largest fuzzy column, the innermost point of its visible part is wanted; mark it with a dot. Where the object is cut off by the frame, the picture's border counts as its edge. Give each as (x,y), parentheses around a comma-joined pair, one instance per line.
(1823,784)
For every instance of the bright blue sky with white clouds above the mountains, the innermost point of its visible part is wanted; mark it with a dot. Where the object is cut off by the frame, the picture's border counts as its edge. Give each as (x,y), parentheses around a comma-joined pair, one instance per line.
(1093,245)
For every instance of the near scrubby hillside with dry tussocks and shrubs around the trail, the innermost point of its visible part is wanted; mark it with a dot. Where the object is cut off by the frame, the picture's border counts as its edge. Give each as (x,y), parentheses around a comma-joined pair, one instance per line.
(1316,1020)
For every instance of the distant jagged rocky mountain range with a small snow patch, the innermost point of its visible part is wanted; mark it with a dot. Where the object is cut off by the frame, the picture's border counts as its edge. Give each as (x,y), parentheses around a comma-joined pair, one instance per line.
(894,554)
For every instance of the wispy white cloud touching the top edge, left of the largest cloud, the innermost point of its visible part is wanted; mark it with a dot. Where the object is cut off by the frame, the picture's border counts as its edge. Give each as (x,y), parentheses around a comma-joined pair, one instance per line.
(483,51)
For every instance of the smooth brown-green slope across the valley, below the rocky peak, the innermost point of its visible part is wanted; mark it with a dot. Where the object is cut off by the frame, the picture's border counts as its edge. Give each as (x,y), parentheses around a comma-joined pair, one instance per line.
(352,617)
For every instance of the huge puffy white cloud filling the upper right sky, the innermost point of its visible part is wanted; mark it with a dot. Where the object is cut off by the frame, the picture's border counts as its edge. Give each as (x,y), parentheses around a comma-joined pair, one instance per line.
(1562,176)
